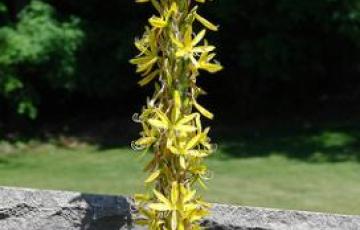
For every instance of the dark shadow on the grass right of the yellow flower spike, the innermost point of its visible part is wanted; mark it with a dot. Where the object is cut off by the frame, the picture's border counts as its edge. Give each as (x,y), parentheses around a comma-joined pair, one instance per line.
(315,145)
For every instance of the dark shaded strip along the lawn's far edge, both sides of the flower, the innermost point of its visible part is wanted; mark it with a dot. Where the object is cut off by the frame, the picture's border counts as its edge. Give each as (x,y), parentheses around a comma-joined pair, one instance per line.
(325,143)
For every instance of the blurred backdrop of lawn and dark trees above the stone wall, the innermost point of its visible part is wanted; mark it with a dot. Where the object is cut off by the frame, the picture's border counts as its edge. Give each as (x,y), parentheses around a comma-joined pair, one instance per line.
(286,104)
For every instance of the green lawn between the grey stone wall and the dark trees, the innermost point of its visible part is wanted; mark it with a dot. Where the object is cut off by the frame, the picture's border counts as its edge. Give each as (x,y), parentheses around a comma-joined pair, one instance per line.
(255,173)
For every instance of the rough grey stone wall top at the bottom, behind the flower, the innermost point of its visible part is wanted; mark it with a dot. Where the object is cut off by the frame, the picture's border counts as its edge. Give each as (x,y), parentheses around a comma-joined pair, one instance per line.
(26,209)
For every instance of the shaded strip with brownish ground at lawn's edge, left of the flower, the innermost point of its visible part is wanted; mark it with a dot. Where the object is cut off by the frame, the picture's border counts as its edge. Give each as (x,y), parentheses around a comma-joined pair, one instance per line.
(105,135)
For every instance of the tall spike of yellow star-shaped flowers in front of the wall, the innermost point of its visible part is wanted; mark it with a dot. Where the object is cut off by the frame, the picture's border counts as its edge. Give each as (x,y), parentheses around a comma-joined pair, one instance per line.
(171,56)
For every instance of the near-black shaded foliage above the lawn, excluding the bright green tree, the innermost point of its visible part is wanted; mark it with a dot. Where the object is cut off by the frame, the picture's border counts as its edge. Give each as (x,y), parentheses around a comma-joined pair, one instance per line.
(281,57)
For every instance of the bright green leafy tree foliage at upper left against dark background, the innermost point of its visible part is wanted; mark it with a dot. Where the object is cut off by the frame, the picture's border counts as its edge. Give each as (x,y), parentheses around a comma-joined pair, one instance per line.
(35,47)
